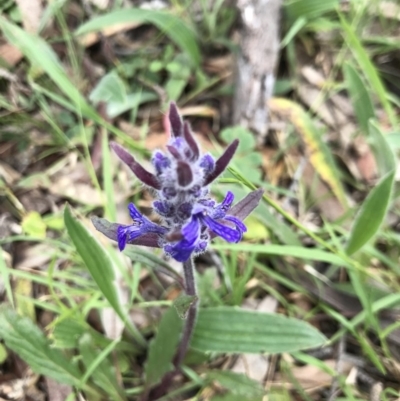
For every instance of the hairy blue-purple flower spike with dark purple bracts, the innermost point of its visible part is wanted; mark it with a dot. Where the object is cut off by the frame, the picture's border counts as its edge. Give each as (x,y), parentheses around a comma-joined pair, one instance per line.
(181,183)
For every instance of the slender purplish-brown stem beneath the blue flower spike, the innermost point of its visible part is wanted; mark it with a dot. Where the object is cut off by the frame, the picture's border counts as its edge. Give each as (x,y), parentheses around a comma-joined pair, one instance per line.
(190,287)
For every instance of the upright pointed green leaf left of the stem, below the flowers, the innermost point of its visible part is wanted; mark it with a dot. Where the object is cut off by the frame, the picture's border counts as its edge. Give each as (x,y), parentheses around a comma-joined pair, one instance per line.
(99,264)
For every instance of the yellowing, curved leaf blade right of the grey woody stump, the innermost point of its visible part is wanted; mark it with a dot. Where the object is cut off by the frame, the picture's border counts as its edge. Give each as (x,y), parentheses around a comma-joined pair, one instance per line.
(319,154)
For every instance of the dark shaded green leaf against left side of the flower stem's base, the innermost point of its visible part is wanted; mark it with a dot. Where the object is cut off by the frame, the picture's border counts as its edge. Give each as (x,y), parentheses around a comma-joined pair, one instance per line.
(163,347)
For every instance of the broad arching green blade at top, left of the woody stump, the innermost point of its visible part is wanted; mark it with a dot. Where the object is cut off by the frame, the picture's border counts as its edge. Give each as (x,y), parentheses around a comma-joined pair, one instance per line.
(173,26)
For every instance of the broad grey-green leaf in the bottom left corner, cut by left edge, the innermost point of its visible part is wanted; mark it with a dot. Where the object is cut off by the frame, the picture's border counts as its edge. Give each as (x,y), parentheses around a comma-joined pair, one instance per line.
(23,337)
